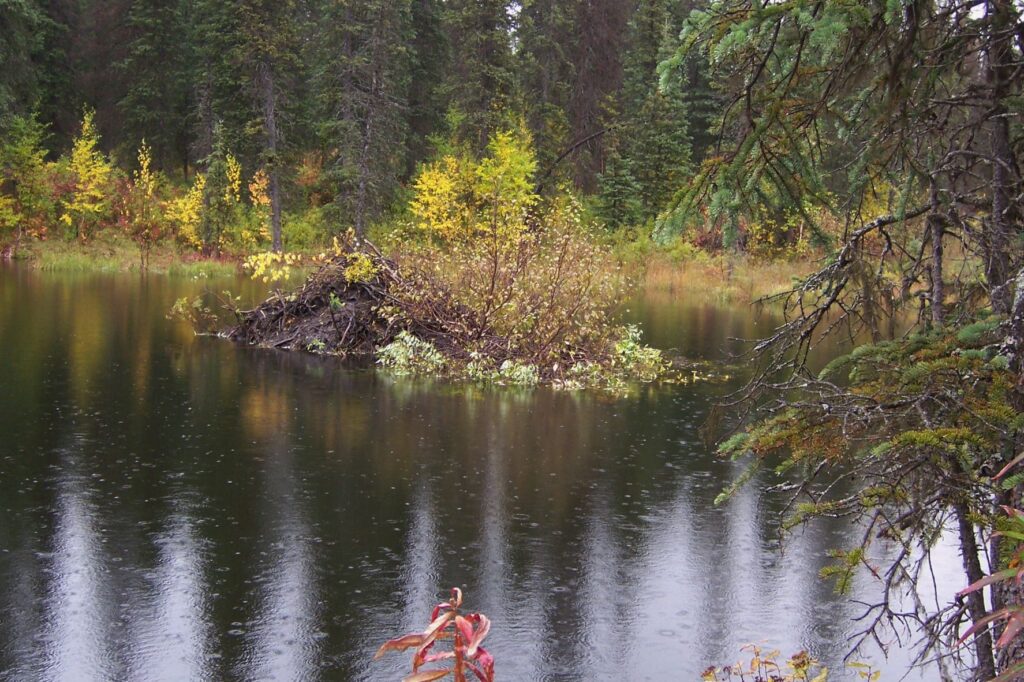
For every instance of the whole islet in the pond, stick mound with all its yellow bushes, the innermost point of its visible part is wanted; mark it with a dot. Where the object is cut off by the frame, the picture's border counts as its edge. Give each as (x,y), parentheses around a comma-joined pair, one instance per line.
(514,292)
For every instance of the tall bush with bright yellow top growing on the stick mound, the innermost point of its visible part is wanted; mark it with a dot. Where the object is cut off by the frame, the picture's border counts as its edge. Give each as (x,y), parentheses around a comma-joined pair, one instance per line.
(536,276)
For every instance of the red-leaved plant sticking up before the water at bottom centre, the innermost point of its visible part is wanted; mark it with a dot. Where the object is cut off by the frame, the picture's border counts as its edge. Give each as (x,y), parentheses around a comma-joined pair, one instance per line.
(465,632)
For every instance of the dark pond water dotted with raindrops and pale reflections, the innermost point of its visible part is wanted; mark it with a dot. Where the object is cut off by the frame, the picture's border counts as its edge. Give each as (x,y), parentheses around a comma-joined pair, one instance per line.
(185,509)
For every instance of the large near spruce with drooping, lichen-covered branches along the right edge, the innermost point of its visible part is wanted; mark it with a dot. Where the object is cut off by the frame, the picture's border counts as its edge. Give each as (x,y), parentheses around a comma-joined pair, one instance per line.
(917,100)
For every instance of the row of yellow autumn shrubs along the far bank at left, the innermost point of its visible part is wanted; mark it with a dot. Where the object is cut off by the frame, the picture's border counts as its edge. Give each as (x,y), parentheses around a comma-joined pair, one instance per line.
(223,209)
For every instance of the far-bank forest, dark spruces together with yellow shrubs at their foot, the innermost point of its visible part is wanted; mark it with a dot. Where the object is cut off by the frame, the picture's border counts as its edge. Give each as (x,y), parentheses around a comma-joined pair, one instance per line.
(325,111)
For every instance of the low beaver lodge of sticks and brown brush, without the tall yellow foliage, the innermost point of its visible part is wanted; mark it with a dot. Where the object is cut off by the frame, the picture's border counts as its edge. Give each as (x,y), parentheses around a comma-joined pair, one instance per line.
(362,304)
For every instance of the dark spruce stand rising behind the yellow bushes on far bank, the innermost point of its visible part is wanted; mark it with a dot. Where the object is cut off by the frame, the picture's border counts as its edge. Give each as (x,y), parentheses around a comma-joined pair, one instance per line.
(364,90)
